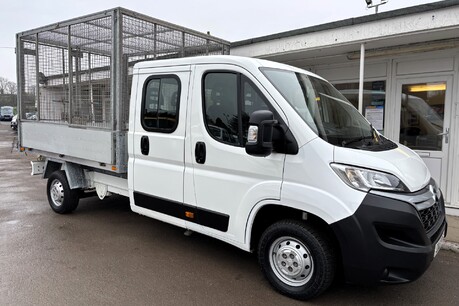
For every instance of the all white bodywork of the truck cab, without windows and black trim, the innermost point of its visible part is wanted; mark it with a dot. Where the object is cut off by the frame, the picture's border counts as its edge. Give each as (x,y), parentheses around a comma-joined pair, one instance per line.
(230,181)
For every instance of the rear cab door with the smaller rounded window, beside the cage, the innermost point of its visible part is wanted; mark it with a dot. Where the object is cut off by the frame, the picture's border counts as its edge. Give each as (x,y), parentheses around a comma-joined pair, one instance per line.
(156,161)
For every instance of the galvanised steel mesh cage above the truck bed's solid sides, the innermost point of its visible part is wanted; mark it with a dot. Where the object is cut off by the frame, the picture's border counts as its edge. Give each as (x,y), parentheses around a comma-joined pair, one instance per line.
(78,72)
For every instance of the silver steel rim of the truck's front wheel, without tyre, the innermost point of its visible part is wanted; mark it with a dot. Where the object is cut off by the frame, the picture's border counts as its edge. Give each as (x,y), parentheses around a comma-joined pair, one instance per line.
(291,261)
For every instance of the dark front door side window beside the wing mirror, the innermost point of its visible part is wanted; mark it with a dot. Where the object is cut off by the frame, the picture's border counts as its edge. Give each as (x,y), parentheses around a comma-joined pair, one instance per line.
(229,100)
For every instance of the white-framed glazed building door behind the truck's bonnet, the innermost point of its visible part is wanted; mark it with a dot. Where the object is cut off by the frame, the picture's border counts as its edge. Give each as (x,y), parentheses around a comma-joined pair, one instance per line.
(423,108)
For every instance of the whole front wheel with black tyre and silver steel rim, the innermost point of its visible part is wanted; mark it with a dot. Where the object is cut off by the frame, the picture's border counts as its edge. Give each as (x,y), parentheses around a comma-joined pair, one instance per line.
(298,260)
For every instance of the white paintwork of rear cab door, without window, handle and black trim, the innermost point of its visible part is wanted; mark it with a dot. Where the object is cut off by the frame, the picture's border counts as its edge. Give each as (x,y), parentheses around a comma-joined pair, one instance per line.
(161,172)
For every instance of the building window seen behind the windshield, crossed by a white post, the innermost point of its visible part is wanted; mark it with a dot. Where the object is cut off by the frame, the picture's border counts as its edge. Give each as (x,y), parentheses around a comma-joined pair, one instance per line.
(374,100)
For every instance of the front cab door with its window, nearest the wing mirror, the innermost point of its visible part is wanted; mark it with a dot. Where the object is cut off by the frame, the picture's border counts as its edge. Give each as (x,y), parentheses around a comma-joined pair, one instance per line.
(227,181)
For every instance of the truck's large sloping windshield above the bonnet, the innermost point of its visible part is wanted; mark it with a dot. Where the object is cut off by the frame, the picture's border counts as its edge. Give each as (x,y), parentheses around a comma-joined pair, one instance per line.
(327,112)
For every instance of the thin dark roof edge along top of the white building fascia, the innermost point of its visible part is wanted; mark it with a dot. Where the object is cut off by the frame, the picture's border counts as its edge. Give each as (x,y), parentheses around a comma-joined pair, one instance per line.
(349,22)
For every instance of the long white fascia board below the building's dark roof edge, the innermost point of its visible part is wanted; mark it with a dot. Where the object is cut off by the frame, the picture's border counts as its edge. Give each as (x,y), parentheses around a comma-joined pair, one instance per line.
(431,24)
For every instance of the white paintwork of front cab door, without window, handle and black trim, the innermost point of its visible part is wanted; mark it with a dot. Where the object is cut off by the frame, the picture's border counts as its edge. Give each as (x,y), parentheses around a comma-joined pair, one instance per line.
(230,181)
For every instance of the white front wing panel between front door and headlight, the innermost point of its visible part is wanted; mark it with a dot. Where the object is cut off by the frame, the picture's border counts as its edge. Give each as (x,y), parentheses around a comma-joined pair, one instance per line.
(312,186)
